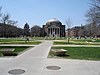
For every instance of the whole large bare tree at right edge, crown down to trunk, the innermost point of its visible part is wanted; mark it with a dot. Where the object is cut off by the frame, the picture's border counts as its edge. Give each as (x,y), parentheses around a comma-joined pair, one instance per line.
(93,16)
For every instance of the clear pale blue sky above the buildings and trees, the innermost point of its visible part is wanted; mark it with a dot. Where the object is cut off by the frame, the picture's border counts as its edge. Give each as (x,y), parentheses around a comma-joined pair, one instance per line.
(38,12)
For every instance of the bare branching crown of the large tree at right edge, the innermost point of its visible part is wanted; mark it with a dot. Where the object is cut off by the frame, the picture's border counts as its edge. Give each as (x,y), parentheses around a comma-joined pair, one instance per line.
(93,14)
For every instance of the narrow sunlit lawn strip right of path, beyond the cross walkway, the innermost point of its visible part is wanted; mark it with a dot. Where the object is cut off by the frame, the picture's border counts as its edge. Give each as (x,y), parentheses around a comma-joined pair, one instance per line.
(79,42)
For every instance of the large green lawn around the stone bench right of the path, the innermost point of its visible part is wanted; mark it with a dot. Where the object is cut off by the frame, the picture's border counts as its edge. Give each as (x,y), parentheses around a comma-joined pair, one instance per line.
(86,53)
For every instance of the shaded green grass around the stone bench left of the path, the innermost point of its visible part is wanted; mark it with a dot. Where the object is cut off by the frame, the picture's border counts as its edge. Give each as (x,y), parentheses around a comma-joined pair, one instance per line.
(18,49)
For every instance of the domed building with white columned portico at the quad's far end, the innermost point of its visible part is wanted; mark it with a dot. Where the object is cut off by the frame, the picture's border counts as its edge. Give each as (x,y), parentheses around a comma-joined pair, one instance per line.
(54,28)
